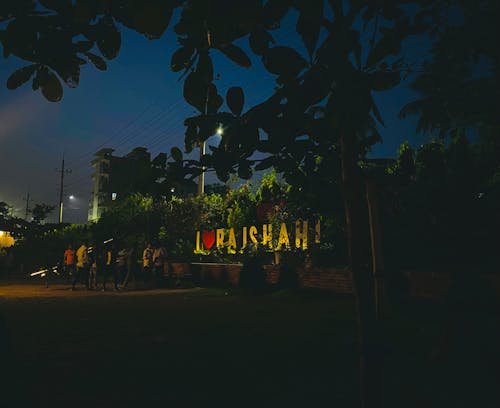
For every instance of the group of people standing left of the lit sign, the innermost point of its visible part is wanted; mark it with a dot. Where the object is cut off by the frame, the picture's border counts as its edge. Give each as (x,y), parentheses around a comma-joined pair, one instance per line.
(94,266)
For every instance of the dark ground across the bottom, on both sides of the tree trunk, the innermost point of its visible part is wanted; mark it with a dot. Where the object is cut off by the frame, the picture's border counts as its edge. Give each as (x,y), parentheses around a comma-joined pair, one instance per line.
(201,347)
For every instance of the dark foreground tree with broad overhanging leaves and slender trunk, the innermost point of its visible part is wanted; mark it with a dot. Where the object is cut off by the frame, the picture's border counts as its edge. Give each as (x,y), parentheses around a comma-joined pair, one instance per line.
(321,119)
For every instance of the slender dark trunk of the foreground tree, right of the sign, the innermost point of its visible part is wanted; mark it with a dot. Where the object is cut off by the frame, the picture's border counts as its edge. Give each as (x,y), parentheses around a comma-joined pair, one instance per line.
(359,251)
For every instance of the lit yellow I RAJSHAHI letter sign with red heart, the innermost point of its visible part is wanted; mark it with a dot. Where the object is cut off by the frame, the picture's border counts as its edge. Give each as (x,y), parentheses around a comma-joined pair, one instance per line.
(295,235)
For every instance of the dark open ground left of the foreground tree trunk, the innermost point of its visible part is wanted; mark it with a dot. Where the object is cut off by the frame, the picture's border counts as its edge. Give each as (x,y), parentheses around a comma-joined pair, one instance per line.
(189,348)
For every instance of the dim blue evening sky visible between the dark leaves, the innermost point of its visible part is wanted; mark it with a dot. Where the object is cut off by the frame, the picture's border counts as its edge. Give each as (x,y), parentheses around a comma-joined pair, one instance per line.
(136,102)
